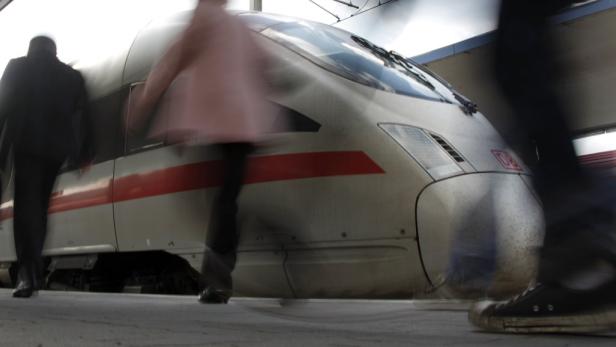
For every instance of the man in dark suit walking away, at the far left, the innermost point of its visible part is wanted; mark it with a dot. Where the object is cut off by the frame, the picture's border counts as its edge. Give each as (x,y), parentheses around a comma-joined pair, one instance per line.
(43,107)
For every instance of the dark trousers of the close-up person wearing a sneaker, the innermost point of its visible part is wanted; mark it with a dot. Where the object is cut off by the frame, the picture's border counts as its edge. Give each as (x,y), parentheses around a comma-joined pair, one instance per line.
(577,202)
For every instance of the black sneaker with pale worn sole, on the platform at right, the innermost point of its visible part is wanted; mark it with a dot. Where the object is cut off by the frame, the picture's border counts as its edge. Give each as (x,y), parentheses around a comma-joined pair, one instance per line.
(550,309)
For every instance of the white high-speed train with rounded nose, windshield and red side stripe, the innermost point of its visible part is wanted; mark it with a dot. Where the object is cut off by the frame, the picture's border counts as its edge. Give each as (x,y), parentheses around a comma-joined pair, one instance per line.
(383,172)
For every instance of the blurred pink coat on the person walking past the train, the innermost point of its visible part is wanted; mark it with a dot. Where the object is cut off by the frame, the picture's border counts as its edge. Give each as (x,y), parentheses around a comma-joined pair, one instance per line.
(214,75)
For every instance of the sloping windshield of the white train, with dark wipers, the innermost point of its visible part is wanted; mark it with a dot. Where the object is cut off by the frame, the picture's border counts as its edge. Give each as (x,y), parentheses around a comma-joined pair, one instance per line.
(357,59)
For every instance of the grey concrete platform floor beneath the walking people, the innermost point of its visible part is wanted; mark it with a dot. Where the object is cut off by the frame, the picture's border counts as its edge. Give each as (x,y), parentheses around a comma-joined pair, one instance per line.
(90,319)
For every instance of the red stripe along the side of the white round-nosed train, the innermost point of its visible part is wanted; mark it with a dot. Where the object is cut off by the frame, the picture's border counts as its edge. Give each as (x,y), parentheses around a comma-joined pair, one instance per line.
(209,174)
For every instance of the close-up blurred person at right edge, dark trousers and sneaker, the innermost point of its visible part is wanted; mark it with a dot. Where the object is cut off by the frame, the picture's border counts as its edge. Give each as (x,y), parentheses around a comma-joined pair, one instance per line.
(575,289)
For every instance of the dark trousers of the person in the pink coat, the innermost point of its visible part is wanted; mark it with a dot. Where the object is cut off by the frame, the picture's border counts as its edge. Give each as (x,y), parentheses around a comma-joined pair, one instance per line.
(223,237)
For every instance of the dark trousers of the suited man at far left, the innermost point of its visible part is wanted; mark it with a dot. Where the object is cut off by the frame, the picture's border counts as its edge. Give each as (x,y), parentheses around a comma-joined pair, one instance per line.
(34,180)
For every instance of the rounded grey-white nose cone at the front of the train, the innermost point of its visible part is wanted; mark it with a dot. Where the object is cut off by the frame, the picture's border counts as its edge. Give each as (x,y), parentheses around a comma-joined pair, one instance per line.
(479,234)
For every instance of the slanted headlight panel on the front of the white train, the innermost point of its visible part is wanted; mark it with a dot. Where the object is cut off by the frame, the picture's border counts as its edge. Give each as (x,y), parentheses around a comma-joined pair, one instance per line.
(424,149)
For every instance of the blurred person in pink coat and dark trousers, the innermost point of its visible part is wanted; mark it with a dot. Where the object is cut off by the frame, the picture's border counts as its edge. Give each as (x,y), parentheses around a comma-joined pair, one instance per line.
(218,98)
